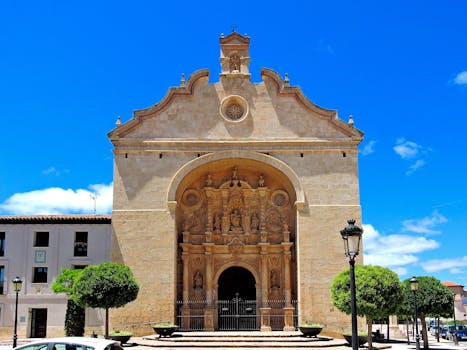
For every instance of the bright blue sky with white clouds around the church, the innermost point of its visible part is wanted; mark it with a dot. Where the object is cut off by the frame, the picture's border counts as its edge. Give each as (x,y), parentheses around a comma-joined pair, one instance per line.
(69,68)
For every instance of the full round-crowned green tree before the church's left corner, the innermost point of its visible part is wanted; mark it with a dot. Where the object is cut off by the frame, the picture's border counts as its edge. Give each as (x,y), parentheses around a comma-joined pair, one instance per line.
(107,285)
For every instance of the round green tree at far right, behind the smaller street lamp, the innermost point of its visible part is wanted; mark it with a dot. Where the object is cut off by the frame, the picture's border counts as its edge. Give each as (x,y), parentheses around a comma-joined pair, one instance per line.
(433,300)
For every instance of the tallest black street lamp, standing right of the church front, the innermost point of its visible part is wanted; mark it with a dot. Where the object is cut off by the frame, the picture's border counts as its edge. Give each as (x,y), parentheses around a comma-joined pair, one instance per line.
(352,235)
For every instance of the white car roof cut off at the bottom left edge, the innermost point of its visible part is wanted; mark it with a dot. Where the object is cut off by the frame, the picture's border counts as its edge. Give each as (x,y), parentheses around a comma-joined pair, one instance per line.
(72,343)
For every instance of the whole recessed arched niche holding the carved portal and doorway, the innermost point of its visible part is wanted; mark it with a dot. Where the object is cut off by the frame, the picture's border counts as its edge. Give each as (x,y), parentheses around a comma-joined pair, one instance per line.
(236,224)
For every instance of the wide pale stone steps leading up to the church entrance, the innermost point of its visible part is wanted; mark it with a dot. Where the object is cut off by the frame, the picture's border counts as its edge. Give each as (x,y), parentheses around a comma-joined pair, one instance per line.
(239,340)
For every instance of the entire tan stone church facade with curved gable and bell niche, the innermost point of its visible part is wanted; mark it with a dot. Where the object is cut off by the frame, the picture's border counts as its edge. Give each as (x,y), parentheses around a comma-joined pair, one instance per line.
(228,202)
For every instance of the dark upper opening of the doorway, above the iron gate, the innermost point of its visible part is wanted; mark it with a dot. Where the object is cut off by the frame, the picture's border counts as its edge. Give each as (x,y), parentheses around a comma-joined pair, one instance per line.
(236,281)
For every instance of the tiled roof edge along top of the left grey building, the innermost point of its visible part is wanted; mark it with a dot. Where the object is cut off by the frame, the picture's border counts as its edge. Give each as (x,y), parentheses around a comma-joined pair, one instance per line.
(56,219)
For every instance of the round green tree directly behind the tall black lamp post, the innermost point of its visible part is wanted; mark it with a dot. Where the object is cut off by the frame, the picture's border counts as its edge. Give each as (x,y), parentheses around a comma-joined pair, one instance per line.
(378,293)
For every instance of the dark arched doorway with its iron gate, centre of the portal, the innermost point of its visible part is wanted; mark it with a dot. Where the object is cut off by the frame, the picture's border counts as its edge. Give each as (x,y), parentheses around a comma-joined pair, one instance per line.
(236,300)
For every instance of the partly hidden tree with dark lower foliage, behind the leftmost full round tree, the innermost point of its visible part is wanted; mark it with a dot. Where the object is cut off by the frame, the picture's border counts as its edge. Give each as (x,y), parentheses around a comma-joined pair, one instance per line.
(74,316)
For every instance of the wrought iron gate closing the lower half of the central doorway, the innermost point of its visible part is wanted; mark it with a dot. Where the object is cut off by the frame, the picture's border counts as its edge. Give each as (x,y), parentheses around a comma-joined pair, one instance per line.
(237,314)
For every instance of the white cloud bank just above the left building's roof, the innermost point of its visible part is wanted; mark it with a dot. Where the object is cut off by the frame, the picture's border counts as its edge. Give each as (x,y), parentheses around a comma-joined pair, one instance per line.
(57,200)
